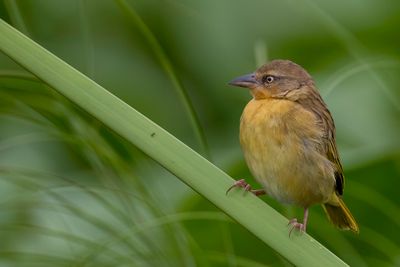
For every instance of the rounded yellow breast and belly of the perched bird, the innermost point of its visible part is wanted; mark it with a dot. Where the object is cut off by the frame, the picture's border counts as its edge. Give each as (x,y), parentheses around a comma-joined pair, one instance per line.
(281,142)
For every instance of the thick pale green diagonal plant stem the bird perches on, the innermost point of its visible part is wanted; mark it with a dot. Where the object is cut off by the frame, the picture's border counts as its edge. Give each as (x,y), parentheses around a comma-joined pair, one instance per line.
(205,178)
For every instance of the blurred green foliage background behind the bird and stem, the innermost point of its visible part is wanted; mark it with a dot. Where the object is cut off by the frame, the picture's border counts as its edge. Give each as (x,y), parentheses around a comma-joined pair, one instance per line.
(72,193)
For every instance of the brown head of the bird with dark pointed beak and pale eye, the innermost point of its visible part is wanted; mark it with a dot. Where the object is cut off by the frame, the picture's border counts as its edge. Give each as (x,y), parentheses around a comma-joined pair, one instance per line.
(277,79)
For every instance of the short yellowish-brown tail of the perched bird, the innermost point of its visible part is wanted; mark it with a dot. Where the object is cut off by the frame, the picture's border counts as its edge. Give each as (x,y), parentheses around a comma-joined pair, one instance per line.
(340,216)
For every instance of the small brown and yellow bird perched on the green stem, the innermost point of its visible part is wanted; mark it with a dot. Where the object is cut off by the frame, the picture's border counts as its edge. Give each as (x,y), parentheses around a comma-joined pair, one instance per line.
(287,135)
